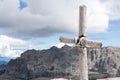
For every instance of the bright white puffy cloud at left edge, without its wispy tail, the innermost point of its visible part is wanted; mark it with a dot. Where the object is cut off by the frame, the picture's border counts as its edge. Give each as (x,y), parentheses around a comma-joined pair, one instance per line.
(6,45)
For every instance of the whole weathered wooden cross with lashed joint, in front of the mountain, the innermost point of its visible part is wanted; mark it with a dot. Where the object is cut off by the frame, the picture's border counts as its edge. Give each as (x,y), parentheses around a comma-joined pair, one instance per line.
(82,43)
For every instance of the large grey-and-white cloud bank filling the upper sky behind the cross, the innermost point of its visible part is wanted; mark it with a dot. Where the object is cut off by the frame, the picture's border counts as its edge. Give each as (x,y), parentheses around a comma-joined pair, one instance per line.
(47,17)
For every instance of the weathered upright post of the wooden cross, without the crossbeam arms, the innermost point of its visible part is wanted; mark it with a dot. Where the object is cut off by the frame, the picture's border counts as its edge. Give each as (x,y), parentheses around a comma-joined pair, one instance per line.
(82,48)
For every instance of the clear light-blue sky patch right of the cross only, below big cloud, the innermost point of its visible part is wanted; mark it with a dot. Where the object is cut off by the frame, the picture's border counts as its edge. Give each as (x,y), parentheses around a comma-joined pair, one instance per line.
(111,36)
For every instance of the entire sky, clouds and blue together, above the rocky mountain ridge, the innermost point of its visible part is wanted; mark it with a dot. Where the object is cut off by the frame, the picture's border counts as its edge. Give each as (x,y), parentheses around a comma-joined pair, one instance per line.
(28,24)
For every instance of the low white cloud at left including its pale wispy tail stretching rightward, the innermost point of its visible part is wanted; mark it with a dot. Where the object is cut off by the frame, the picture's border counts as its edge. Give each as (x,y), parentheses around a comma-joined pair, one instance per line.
(13,47)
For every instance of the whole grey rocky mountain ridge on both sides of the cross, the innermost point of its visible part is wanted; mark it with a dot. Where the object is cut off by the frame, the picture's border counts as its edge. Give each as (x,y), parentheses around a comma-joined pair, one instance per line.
(62,62)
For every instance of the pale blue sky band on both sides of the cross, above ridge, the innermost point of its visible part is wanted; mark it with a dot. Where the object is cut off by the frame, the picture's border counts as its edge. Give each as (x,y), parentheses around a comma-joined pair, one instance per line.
(109,38)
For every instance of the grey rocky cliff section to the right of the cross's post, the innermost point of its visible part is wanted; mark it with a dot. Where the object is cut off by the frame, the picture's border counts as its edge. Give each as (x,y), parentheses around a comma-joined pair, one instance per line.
(105,60)
